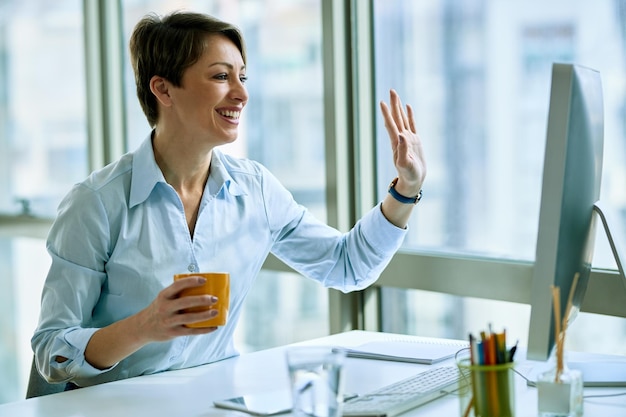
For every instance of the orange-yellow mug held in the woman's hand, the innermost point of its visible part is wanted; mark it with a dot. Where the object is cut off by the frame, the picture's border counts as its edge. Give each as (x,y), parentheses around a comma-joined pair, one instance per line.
(217,284)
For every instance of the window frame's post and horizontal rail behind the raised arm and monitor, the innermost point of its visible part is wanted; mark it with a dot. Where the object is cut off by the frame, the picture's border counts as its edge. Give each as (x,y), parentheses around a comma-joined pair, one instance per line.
(494,279)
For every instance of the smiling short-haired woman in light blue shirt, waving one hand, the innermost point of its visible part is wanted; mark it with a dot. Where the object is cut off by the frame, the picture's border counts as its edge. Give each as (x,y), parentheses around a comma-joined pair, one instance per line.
(110,309)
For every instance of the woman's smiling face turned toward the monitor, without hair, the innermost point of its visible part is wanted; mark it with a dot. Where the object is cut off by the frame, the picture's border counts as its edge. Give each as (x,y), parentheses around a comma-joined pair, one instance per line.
(212,95)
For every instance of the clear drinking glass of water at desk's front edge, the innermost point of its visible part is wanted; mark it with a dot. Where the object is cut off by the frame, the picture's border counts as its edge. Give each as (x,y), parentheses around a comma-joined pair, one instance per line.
(316,379)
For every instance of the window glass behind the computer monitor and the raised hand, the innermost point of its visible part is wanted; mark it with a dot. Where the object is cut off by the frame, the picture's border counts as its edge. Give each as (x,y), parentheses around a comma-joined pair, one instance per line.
(478,76)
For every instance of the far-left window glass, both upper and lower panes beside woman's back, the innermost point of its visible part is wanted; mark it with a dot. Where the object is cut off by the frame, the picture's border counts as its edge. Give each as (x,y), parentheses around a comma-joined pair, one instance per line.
(43,151)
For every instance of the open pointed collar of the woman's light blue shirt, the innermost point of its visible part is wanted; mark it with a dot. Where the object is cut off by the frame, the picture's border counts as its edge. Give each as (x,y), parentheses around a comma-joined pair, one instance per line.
(146,174)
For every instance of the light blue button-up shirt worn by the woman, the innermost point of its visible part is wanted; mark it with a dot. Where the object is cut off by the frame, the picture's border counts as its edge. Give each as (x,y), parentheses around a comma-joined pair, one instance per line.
(121,235)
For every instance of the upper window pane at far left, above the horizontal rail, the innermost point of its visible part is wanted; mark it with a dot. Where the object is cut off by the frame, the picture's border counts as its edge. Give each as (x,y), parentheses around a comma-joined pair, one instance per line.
(43,133)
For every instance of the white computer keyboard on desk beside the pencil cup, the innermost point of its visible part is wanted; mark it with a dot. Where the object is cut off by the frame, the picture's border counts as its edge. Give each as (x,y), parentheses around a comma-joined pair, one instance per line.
(404,395)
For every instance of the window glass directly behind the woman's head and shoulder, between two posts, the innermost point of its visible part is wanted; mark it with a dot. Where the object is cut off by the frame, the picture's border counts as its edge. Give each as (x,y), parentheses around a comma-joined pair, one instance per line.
(282,127)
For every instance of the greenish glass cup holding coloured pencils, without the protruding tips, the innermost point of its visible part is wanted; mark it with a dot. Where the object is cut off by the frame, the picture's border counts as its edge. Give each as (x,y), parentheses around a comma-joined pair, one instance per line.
(486,390)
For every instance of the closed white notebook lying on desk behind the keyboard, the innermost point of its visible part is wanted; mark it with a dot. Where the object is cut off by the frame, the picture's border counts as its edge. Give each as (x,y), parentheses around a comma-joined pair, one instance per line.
(425,351)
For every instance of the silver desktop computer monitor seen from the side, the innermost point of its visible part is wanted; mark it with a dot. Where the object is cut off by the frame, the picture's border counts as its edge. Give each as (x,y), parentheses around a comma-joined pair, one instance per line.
(572,175)
